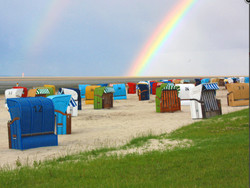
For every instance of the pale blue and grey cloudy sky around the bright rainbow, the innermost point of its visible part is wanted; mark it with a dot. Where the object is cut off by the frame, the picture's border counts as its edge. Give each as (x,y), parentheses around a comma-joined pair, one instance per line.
(105,38)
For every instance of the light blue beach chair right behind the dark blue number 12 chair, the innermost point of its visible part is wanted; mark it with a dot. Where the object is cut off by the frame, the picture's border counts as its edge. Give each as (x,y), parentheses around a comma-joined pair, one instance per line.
(63,119)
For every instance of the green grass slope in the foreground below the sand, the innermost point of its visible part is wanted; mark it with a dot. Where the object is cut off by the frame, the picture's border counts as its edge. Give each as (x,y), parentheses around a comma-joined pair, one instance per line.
(218,157)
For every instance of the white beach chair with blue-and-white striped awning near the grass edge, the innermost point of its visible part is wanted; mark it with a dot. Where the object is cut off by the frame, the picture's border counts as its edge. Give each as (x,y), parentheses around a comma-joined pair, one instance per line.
(203,101)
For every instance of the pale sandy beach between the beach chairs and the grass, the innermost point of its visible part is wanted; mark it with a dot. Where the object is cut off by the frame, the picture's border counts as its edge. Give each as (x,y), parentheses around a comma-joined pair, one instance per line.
(106,127)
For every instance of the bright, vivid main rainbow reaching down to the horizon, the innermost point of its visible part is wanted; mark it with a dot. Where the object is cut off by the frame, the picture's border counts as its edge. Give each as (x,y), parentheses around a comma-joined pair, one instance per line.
(160,36)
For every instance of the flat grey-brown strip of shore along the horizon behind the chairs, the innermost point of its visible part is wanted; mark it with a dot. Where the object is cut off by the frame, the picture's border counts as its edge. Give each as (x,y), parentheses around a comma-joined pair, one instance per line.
(73,82)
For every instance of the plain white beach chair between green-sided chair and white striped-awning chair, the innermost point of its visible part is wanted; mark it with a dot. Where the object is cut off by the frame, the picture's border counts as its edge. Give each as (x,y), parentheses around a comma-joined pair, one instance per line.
(184,93)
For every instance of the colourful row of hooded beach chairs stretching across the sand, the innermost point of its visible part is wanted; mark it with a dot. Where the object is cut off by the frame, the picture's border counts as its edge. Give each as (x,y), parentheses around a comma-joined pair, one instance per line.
(36,121)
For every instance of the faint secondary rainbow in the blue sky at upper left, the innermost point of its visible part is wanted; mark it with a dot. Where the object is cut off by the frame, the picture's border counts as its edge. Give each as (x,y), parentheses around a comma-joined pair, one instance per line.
(48,22)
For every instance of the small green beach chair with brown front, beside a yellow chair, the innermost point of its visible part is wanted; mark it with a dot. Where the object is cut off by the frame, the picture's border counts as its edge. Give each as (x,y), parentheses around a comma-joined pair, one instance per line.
(103,98)
